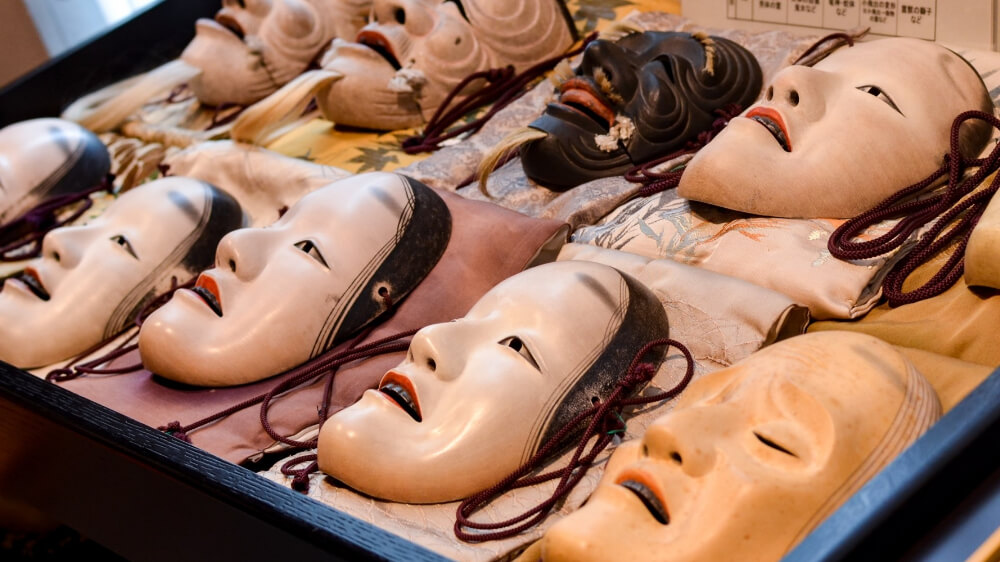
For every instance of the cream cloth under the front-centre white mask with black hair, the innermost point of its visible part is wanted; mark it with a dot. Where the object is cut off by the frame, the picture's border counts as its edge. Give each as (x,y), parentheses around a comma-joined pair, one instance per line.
(722,320)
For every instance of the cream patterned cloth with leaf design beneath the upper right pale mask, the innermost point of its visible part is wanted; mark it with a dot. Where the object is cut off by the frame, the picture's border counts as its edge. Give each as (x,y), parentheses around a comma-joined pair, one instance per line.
(786,255)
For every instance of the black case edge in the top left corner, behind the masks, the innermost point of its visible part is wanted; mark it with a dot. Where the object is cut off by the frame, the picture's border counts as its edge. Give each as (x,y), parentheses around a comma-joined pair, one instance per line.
(143,42)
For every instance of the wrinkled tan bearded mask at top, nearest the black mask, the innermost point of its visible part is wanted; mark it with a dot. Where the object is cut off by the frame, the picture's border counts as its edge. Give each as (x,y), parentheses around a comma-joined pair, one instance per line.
(403,64)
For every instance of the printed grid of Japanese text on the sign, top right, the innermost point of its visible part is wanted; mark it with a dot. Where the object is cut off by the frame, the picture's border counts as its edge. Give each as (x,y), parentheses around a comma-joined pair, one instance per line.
(904,18)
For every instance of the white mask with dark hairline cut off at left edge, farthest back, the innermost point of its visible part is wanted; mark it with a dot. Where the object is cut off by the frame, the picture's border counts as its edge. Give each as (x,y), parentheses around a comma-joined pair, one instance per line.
(41,158)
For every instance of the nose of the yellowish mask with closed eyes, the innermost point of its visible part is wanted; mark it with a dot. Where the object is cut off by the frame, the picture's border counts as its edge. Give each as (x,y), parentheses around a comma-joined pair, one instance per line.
(680,438)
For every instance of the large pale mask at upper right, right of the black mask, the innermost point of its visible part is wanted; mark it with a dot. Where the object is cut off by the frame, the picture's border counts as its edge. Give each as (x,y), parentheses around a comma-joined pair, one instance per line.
(835,139)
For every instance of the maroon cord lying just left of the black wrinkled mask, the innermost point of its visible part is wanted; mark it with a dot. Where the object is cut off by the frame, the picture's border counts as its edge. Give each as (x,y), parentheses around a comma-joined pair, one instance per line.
(503,86)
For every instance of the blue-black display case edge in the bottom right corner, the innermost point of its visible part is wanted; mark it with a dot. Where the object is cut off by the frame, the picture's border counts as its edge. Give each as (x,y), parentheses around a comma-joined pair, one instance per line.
(946,479)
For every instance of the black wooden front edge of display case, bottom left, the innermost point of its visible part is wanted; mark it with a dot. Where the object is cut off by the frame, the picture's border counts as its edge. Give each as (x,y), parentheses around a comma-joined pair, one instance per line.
(149,496)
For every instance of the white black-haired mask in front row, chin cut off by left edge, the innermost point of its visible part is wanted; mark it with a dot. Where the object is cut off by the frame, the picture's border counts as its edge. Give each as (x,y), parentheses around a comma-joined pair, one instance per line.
(92,280)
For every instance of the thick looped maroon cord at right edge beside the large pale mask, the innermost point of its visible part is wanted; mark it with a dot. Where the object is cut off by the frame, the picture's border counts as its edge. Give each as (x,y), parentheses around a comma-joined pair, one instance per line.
(947,206)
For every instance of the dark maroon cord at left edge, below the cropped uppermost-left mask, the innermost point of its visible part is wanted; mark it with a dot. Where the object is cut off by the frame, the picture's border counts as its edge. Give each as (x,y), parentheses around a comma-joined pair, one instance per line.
(32,226)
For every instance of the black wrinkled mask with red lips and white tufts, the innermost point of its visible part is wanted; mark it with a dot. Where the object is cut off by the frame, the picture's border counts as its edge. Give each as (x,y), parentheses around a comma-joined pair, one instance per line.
(660,89)
